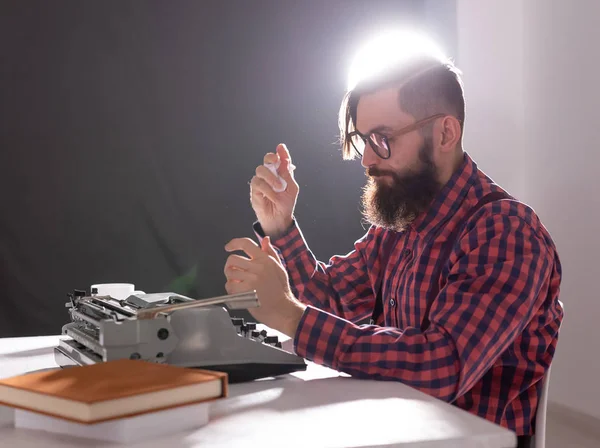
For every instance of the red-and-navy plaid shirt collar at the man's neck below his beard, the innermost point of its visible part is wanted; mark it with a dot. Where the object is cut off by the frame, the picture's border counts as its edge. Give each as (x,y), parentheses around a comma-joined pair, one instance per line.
(449,199)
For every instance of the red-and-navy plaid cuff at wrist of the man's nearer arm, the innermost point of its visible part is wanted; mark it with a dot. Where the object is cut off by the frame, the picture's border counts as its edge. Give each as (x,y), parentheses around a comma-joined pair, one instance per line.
(319,335)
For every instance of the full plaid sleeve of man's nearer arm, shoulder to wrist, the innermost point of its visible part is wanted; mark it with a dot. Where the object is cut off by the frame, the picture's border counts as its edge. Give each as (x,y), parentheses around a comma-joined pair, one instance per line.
(498,278)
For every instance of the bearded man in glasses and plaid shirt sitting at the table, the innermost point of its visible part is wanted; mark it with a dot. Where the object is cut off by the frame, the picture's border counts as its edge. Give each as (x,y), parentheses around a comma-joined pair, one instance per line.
(461,279)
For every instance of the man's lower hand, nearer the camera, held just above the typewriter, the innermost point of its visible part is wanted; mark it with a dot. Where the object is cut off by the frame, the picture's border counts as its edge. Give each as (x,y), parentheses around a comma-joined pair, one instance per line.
(263,272)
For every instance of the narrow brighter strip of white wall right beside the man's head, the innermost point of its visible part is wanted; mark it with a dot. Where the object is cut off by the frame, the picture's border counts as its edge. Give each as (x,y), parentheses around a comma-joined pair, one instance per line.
(492,64)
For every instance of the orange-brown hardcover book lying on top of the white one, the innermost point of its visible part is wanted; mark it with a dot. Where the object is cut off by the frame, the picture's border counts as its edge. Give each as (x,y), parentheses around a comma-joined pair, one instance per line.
(111,390)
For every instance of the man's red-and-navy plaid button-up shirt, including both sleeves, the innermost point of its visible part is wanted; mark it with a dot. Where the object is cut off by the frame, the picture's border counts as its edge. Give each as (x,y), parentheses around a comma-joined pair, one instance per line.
(493,325)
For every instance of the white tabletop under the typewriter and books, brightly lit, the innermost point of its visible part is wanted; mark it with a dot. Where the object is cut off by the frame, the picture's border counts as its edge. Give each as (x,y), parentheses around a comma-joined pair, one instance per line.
(315,408)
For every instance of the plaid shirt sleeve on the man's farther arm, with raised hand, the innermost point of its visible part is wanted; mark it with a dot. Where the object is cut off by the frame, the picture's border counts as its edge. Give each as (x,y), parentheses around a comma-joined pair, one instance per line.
(342,286)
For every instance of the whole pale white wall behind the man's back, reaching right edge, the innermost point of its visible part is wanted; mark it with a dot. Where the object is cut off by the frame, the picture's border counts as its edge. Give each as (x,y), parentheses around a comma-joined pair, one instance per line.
(532,78)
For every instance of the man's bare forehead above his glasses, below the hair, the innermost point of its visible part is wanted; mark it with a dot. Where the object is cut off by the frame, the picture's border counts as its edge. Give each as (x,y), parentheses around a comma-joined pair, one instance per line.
(380,108)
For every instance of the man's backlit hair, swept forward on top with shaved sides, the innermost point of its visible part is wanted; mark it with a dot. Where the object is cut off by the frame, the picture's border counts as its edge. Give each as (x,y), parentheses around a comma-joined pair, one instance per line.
(428,86)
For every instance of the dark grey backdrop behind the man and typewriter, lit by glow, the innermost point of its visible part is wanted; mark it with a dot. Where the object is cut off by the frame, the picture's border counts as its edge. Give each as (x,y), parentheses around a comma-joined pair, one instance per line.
(129,131)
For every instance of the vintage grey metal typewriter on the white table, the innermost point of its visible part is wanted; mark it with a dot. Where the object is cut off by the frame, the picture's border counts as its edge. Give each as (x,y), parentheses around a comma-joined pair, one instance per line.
(173,329)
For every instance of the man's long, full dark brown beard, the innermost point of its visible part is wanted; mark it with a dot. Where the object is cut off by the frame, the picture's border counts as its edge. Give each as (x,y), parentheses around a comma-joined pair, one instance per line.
(397,204)
